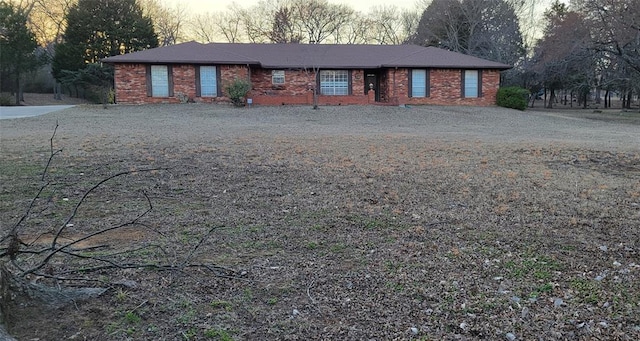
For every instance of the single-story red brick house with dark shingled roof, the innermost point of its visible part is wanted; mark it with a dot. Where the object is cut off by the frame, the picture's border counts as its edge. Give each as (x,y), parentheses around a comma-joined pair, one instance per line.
(290,73)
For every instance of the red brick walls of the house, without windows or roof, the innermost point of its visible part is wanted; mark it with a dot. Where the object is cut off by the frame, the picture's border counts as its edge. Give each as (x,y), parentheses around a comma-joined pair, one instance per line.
(394,86)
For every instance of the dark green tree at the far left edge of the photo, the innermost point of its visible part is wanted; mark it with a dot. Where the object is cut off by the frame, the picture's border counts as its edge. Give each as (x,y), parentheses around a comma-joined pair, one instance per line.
(17,46)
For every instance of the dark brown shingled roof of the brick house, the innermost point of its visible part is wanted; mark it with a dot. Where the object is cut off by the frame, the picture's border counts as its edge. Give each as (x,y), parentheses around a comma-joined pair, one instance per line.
(324,56)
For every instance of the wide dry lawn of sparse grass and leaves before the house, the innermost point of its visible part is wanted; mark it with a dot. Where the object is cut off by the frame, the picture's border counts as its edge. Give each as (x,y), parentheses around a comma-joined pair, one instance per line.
(344,223)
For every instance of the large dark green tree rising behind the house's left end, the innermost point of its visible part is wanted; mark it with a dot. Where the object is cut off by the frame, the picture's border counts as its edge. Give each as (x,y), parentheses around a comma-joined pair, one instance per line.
(101,28)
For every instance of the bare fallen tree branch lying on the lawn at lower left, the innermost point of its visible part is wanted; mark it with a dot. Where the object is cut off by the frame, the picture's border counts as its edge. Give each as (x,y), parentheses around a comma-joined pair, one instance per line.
(22,262)
